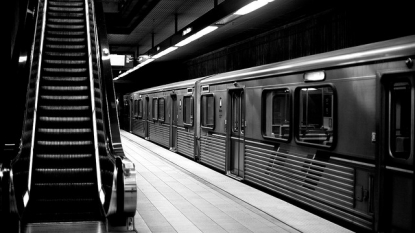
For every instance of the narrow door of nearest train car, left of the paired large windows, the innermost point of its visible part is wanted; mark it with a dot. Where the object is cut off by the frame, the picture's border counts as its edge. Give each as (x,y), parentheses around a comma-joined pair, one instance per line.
(237,133)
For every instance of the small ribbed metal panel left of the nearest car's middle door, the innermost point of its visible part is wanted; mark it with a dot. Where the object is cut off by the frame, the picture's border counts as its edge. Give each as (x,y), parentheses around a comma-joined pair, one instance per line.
(212,151)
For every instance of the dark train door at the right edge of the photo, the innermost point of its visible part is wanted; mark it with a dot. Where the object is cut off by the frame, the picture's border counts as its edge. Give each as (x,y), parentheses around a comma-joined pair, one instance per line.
(396,170)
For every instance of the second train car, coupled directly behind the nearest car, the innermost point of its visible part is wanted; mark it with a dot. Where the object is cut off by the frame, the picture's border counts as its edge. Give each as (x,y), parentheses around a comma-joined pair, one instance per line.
(165,115)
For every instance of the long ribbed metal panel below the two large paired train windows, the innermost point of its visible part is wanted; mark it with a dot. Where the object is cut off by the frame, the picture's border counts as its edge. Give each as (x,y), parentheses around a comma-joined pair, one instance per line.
(322,184)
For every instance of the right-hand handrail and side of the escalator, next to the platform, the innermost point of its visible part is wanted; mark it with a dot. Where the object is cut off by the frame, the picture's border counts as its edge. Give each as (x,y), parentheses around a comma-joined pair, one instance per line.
(124,191)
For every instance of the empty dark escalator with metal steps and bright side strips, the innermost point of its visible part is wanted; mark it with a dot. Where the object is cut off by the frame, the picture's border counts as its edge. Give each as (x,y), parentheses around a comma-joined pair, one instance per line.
(67,169)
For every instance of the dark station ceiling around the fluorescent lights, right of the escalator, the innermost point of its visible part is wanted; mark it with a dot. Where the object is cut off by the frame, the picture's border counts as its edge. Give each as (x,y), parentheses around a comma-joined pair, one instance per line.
(139,27)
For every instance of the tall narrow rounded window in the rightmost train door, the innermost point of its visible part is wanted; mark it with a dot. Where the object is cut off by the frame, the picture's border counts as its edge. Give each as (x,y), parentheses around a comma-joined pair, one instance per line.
(400,119)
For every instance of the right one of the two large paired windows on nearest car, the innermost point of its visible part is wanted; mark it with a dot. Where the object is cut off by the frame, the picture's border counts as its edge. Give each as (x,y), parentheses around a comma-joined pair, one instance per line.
(315,107)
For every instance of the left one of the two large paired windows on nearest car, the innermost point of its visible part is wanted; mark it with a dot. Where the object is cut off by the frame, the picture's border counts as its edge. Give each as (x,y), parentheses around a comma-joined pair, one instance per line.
(276,115)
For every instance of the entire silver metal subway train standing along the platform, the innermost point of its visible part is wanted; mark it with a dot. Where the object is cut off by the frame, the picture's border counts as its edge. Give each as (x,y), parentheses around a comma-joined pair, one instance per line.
(333,132)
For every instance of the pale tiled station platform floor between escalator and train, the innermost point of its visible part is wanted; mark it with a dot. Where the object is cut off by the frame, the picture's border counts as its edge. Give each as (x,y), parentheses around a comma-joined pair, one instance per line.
(176,194)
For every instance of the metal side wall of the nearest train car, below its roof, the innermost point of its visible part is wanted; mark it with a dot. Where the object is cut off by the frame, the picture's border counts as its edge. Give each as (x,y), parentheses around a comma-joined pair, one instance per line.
(336,176)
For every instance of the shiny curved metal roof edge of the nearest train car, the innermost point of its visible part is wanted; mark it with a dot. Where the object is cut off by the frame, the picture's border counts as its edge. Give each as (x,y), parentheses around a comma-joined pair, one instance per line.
(389,49)
